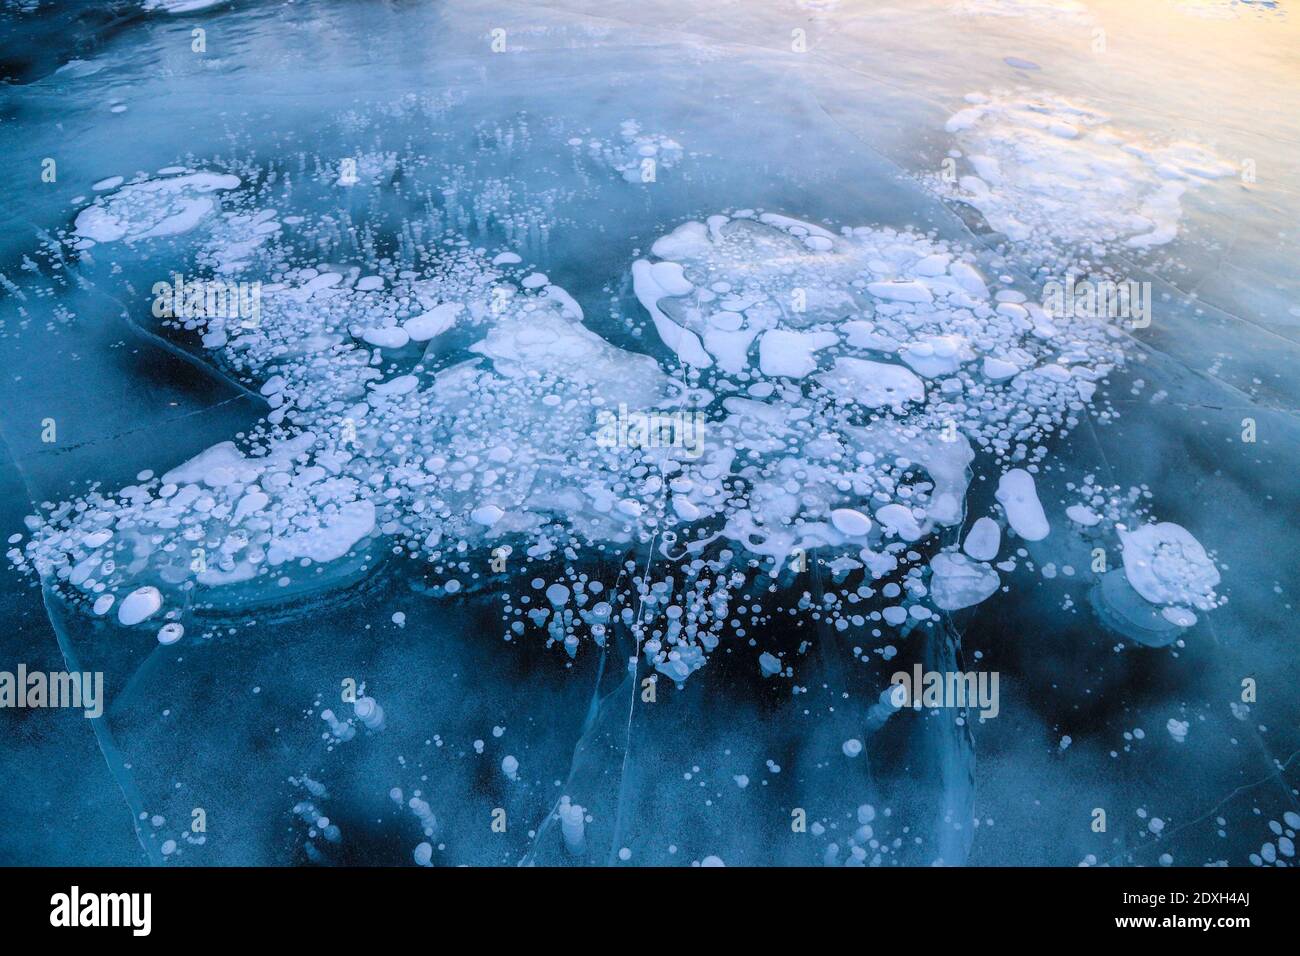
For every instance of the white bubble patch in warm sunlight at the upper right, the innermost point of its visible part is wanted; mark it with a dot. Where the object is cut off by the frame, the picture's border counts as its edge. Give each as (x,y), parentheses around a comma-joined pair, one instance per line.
(1048,171)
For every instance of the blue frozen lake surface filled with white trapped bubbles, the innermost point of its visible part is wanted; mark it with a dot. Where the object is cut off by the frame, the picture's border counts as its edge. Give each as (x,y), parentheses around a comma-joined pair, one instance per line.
(779,432)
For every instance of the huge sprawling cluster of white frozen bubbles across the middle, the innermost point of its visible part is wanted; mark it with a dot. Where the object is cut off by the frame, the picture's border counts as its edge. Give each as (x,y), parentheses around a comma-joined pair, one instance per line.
(847,384)
